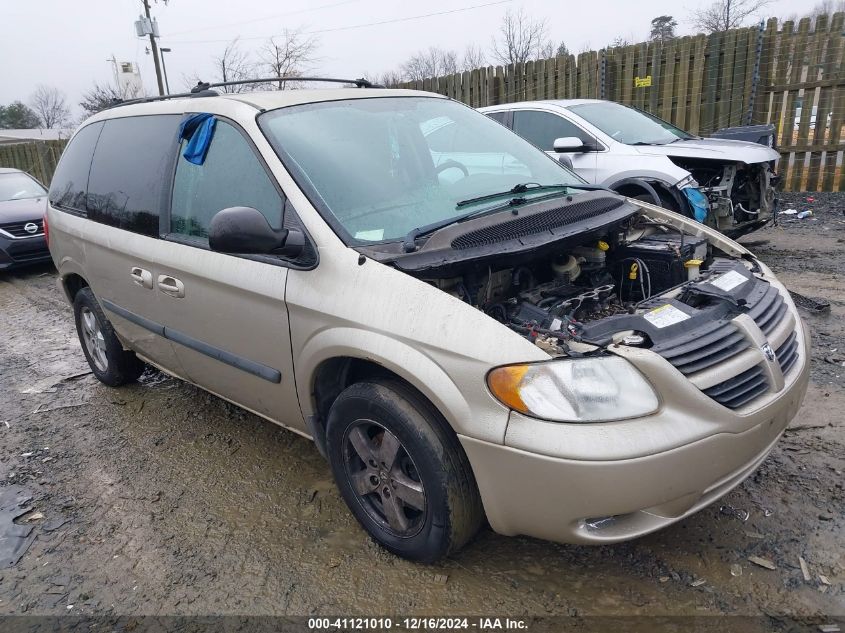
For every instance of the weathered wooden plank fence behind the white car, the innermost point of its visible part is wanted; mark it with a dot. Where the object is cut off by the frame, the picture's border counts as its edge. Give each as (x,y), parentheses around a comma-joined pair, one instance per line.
(793,76)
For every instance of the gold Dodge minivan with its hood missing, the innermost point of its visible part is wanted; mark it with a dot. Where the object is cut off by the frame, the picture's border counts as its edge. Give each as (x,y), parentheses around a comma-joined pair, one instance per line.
(465,328)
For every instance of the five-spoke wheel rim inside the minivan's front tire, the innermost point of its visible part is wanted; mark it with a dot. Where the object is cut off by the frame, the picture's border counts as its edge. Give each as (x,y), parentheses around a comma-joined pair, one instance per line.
(385,478)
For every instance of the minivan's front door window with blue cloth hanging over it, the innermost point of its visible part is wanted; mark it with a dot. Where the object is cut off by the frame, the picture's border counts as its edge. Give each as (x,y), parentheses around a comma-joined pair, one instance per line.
(230,176)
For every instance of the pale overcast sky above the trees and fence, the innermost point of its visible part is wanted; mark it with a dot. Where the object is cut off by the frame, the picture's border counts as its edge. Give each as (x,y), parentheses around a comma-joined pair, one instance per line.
(67,44)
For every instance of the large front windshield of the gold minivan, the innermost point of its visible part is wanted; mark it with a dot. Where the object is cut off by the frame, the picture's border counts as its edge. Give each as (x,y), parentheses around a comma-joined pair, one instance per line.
(385,166)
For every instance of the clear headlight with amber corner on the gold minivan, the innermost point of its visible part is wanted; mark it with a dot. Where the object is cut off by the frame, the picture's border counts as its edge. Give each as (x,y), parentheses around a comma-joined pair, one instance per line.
(575,389)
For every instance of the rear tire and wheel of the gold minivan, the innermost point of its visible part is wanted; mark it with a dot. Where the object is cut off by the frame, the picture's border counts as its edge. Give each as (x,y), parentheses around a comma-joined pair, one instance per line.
(110,363)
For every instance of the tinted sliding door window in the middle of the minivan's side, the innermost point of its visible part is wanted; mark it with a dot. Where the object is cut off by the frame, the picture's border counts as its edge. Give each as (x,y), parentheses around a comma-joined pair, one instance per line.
(131,171)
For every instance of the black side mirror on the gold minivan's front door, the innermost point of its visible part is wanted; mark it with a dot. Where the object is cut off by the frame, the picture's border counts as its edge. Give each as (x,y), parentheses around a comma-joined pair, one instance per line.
(244,230)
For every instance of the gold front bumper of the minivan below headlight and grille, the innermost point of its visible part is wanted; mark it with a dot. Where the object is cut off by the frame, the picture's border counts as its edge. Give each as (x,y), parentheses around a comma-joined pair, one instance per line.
(609,482)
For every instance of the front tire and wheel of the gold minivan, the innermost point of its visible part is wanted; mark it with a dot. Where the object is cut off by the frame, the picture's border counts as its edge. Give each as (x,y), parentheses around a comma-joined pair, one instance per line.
(401,471)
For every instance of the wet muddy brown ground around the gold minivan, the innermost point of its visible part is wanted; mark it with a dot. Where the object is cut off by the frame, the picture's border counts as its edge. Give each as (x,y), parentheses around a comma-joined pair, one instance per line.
(158,498)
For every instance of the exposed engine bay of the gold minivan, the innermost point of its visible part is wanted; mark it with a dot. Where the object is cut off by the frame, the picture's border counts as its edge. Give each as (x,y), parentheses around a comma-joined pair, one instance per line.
(638,283)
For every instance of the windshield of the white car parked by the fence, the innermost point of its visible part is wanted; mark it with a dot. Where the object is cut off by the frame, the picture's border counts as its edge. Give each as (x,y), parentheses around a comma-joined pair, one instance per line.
(628,125)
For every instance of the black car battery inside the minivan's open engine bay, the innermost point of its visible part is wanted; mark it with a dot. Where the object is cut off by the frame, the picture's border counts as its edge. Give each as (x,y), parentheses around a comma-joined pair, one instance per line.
(665,256)
